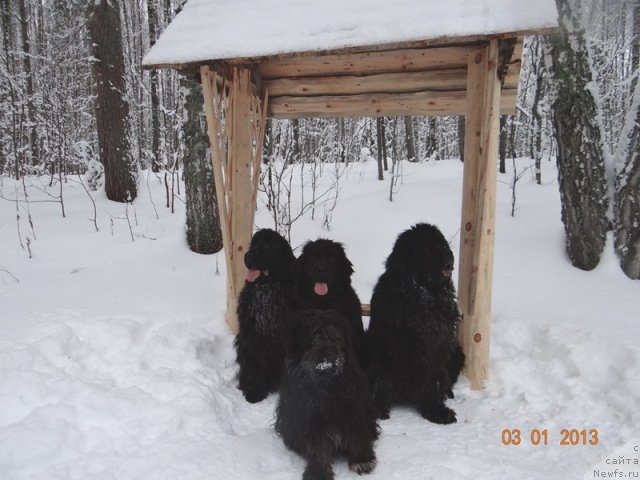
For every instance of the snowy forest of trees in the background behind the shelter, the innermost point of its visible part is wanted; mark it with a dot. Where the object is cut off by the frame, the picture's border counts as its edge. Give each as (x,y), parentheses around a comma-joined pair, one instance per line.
(579,102)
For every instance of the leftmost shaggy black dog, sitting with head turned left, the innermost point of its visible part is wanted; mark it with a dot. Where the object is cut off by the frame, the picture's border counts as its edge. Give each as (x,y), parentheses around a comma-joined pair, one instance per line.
(263,307)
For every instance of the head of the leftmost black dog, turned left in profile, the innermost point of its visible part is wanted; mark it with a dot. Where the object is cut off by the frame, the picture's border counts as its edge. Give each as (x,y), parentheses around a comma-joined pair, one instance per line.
(269,257)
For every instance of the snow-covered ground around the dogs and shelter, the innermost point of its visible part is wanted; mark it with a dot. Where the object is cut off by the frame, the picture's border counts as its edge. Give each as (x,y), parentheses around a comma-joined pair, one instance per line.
(116,363)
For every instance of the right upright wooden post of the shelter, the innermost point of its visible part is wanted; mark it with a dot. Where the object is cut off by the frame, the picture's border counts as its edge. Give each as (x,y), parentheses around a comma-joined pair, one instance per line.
(478,209)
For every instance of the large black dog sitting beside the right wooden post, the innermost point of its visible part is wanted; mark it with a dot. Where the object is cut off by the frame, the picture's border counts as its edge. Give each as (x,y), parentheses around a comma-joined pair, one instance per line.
(415,355)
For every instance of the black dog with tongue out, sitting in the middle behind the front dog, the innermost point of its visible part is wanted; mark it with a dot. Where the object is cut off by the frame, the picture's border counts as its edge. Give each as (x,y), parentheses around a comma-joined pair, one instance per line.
(324,282)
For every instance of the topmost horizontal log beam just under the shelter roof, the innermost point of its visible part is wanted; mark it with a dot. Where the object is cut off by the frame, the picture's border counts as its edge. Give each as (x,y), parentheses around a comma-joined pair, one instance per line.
(406,60)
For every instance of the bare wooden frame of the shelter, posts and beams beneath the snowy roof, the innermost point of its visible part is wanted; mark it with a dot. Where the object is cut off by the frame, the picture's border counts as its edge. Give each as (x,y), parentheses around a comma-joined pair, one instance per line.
(476,76)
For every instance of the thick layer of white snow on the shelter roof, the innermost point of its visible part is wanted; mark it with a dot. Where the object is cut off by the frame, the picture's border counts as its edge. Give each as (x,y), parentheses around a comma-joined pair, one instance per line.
(221,29)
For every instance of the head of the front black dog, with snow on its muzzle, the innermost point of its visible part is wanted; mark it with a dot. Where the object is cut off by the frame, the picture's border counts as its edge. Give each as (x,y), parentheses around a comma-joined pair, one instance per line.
(319,344)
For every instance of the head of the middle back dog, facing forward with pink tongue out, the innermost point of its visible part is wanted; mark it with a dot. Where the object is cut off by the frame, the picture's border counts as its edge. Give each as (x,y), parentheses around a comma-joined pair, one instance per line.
(323,270)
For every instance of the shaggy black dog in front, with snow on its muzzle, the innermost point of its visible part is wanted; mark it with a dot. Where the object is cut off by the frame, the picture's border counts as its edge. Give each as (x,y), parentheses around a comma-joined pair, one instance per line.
(325,406)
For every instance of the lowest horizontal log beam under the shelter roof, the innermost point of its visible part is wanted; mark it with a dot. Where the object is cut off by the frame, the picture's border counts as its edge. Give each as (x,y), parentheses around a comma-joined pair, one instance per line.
(378,105)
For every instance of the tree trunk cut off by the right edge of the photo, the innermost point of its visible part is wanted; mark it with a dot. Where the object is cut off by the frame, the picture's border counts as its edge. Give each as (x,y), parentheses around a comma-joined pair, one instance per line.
(627,182)
